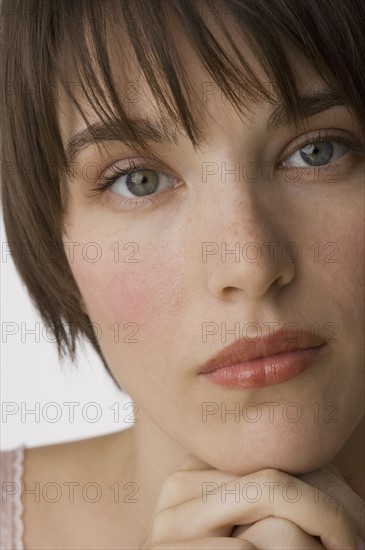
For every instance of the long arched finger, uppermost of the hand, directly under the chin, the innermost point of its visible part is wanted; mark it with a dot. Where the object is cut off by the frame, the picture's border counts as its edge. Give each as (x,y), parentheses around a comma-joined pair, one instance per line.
(329,521)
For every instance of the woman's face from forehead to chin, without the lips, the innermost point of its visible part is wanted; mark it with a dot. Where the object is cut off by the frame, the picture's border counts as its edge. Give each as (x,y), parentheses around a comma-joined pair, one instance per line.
(166,297)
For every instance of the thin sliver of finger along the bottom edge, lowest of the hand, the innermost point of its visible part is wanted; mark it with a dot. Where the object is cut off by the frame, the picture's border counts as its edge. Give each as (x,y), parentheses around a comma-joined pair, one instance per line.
(220,543)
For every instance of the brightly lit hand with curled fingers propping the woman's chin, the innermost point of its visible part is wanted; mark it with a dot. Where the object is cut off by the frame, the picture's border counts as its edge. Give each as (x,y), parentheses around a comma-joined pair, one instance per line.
(190,515)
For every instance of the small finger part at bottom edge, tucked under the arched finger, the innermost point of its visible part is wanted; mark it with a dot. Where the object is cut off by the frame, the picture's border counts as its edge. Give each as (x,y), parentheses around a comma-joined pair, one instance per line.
(277,534)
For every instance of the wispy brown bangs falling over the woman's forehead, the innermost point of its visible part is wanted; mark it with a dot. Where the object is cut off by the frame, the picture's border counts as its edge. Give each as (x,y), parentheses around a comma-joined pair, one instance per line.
(94,37)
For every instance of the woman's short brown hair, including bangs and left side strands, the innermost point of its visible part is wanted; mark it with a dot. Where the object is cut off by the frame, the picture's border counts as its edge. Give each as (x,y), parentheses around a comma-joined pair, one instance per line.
(36,36)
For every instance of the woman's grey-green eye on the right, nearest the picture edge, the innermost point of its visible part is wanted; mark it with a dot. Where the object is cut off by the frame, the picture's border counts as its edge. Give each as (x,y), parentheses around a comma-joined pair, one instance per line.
(321,150)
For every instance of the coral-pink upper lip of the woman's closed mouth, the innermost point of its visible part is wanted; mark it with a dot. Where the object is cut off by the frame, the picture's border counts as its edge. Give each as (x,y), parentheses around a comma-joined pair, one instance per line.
(247,349)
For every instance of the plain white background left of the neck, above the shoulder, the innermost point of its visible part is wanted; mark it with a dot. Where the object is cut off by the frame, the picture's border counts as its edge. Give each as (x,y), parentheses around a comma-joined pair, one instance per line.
(31,378)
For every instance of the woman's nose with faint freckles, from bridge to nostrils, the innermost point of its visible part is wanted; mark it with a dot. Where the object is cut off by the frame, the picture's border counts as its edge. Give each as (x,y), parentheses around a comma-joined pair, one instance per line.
(245,245)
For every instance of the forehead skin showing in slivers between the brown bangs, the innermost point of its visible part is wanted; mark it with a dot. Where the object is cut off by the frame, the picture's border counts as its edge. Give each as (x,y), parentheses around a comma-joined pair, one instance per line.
(206,101)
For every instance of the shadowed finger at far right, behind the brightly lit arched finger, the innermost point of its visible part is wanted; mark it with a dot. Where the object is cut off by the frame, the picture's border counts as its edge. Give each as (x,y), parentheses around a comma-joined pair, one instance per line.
(337,490)
